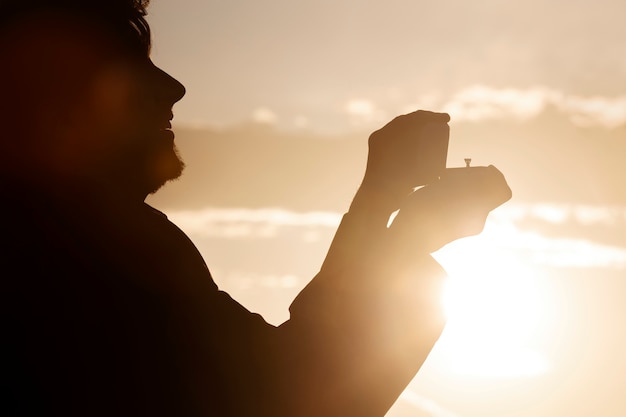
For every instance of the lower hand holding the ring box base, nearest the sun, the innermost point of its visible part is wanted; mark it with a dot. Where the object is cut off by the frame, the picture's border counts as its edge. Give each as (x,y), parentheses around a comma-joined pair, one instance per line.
(454,207)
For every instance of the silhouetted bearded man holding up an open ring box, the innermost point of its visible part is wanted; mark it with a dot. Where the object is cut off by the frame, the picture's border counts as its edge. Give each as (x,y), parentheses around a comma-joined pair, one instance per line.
(108,309)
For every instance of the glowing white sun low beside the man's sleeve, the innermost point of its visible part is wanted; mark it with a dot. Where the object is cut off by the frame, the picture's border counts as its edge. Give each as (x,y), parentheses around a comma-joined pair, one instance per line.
(497,308)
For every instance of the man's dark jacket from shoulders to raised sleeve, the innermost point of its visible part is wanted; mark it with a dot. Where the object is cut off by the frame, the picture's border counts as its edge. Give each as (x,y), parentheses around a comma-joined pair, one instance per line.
(108,309)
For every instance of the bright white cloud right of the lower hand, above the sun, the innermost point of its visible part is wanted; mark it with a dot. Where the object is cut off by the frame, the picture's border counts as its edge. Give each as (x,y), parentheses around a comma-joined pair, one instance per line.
(511,231)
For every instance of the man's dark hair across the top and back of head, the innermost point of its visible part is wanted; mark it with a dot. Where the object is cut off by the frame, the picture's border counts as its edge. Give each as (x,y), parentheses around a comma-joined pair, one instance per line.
(36,90)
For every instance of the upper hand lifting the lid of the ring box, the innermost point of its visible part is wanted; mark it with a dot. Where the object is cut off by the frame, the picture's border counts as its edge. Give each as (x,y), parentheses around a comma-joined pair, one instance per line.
(401,153)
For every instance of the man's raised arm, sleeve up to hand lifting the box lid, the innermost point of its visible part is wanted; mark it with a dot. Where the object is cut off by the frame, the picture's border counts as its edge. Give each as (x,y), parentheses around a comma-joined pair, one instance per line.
(368,320)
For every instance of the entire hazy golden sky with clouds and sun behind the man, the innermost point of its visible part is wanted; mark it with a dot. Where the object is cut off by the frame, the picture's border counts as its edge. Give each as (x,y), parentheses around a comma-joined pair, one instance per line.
(281,99)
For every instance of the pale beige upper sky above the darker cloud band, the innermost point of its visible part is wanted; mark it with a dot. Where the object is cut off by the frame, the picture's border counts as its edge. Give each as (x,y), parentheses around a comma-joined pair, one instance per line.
(328,64)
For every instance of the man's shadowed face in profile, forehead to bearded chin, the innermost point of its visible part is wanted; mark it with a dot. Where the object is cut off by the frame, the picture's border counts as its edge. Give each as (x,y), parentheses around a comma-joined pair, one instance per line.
(137,98)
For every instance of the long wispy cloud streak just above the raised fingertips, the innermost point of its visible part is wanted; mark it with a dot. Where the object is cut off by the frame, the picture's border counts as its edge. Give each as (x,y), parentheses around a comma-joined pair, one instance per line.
(473,103)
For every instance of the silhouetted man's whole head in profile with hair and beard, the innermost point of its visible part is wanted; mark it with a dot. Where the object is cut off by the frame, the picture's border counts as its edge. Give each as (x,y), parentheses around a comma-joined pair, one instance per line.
(81,99)
